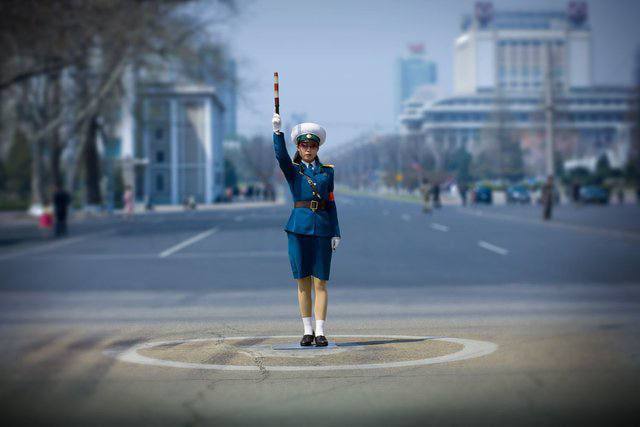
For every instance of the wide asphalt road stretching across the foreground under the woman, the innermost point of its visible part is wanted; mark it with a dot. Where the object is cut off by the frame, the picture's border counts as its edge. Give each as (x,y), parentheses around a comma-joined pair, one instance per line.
(560,300)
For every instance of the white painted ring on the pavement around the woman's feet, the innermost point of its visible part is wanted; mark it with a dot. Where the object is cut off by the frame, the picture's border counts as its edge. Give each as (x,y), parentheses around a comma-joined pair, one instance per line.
(471,349)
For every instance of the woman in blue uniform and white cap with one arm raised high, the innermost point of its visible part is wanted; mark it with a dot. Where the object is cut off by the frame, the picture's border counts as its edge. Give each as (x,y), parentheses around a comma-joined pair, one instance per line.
(312,229)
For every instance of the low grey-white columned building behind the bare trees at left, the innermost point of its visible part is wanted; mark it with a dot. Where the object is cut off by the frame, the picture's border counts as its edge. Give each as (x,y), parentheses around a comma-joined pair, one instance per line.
(180,136)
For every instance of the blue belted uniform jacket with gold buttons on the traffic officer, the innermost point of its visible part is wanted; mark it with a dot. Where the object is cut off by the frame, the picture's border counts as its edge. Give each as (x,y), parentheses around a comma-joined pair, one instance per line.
(322,222)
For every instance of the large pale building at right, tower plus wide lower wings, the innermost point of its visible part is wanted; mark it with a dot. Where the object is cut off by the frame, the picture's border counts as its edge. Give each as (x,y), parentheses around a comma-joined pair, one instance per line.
(500,70)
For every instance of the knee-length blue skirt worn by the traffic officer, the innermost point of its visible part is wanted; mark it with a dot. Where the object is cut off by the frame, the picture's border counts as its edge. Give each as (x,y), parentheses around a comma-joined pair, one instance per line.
(309,256)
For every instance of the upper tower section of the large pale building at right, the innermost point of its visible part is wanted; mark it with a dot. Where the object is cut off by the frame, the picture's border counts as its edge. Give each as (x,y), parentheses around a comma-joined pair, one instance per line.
(510,50)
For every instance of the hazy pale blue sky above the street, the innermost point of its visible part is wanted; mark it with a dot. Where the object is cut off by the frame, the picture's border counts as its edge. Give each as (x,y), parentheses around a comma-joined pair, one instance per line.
(336,59)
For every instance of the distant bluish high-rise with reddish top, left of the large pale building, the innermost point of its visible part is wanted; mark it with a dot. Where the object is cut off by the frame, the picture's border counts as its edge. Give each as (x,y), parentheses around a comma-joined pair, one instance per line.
(413,71)
